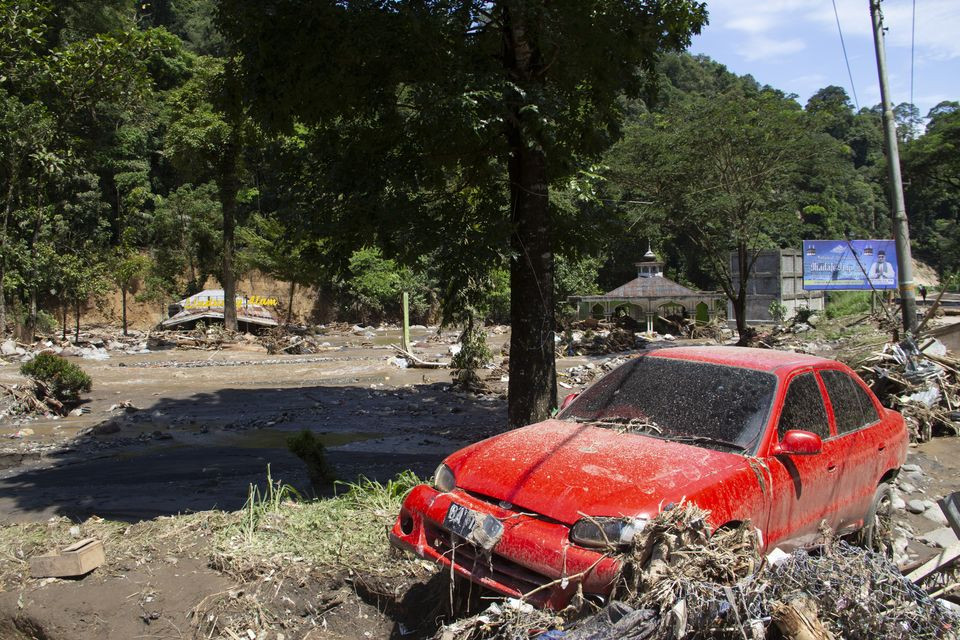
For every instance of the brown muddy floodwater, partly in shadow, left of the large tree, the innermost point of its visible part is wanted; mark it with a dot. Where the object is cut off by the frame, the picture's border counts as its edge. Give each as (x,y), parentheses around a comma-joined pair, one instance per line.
(203,430)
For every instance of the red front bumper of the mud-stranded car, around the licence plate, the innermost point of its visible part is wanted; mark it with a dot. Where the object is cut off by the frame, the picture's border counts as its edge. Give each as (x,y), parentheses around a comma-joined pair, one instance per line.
(534,559)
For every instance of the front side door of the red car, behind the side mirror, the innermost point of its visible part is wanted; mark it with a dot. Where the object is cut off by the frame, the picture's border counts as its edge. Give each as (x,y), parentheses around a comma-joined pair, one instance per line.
(803,487)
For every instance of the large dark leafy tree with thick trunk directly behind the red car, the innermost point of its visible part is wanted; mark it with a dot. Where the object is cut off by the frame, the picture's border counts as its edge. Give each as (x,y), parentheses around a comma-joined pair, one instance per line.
(478,104)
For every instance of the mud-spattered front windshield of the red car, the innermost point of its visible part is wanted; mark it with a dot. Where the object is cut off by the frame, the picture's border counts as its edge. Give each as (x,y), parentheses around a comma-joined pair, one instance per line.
(709,405)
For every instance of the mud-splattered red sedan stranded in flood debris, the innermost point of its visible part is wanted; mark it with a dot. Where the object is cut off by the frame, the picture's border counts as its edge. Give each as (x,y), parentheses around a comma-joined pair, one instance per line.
(781,439)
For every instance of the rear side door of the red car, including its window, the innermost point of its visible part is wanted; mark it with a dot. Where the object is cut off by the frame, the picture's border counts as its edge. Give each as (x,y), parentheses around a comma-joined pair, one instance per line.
(853,414)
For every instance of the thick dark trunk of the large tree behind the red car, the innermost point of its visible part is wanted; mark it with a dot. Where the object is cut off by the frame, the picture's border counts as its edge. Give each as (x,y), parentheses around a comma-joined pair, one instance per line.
(532,392)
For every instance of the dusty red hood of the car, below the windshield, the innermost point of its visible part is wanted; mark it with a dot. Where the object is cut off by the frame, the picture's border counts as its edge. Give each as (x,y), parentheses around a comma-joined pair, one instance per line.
(564,469)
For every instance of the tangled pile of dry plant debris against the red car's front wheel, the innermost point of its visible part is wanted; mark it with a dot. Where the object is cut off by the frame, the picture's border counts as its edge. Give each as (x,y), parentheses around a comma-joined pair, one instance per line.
(679,581)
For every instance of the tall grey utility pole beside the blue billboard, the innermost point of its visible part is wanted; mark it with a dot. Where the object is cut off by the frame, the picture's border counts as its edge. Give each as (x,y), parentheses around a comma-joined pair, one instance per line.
(898,213)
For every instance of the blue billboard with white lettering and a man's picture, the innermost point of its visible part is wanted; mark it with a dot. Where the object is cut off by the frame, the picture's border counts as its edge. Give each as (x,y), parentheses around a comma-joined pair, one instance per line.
(849,264)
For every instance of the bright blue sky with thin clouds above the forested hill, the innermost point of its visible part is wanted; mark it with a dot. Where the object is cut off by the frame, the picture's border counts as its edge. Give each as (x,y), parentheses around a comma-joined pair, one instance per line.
(794,46)
